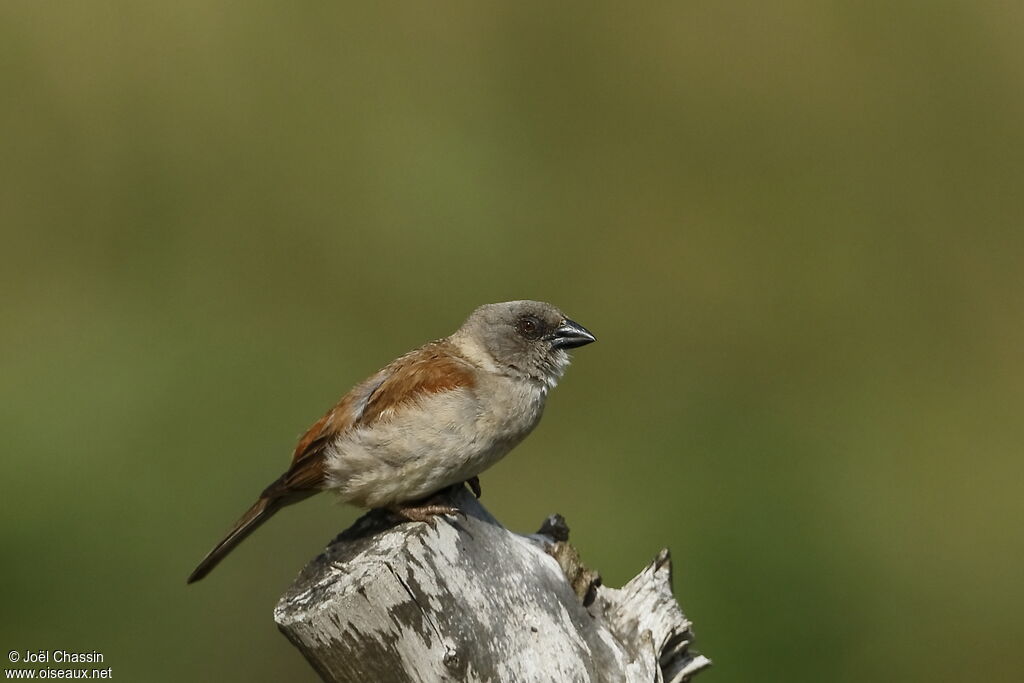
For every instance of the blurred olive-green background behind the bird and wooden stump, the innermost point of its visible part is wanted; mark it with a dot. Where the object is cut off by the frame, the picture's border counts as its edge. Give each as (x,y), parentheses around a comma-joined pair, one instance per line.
(796,229)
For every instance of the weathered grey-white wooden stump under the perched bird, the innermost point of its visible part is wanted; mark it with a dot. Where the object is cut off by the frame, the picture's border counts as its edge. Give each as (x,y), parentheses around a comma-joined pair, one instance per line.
(464,600)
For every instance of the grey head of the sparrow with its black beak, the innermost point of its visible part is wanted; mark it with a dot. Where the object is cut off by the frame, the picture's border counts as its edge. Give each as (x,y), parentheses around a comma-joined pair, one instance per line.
(528,339)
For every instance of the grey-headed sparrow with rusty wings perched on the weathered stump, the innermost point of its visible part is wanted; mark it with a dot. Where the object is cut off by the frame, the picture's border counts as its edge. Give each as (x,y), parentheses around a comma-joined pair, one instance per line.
(433,419)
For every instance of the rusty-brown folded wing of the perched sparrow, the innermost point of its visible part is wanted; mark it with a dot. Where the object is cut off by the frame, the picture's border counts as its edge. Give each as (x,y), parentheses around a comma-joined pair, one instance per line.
(432,369)
